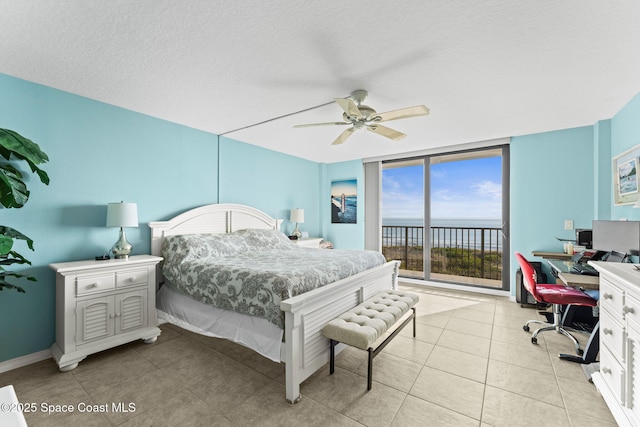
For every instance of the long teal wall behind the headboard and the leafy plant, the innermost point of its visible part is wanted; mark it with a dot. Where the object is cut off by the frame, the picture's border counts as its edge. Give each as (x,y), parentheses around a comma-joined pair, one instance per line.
(100,154)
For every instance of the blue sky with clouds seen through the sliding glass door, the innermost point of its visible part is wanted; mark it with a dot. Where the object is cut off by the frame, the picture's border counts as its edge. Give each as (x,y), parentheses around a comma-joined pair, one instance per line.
(460,189)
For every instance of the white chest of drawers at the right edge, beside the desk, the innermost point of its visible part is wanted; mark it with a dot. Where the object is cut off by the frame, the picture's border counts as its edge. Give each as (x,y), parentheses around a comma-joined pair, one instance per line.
(618,380)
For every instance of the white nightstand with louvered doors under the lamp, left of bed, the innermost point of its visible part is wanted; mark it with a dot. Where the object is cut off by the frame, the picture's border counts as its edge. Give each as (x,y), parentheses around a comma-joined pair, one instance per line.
(102,304)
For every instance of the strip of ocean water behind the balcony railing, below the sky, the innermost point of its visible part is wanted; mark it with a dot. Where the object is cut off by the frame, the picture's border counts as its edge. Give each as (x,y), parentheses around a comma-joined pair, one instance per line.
(455,234)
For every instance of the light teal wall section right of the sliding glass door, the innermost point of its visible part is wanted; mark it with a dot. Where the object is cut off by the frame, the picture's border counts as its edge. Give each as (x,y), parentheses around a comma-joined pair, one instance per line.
(551,180)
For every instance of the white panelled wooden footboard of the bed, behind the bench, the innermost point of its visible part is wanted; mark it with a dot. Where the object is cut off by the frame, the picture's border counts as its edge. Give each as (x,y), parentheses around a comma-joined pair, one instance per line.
(305,350)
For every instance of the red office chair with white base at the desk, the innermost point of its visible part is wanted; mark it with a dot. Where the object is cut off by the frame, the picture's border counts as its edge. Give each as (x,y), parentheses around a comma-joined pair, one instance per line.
(556,295)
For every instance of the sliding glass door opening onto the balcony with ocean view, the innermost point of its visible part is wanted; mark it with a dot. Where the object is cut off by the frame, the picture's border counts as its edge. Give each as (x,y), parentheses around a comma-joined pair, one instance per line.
(445,216)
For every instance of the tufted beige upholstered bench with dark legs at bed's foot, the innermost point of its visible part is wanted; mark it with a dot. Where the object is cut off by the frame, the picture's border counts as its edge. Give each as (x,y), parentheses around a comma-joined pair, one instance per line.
(366,323)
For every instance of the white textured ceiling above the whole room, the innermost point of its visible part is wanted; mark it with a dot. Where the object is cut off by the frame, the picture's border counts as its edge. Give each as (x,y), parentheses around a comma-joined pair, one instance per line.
(486,69)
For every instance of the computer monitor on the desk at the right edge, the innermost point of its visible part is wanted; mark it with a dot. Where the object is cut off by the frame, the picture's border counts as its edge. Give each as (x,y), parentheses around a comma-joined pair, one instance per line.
(621,236)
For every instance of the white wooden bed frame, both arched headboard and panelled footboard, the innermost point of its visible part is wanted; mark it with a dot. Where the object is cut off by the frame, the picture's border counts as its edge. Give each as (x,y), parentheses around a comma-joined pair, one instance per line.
(304,350)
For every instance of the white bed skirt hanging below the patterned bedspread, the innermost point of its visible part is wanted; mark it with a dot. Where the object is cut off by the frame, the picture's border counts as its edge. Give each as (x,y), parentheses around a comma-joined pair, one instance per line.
(253,332)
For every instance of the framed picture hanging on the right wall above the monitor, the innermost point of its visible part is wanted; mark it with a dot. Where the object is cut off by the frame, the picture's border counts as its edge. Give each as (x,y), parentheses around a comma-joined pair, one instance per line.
(625,177)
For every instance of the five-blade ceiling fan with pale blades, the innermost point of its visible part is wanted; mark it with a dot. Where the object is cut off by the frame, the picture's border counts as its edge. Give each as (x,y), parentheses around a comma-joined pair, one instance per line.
(359,116)
